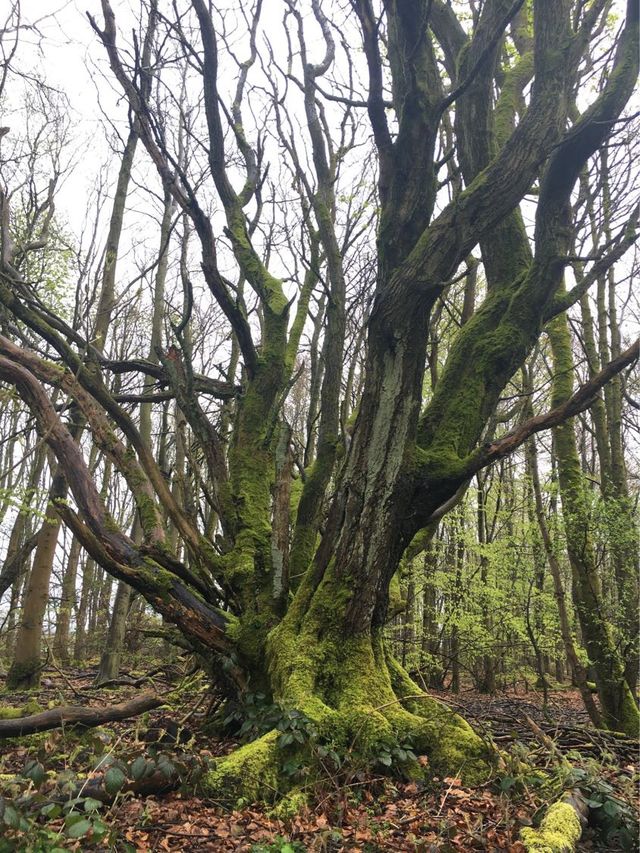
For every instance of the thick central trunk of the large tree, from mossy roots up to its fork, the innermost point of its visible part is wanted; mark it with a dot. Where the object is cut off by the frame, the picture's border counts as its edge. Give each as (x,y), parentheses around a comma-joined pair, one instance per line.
(326,657)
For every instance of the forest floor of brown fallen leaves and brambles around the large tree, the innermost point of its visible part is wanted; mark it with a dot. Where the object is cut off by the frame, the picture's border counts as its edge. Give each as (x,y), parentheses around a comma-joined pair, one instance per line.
(356,812)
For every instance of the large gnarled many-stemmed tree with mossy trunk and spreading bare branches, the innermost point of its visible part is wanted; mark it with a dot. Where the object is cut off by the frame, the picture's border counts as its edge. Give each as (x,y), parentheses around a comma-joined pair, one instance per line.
(315,642)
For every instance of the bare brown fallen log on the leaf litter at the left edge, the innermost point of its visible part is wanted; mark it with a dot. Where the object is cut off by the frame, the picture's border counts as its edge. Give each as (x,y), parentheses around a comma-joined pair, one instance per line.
(77,715)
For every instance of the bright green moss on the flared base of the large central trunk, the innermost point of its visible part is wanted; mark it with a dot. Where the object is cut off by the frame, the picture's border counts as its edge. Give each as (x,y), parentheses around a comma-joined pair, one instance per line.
(358,695)
